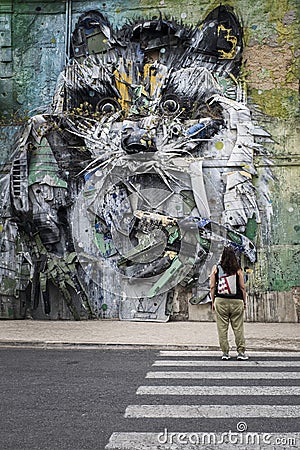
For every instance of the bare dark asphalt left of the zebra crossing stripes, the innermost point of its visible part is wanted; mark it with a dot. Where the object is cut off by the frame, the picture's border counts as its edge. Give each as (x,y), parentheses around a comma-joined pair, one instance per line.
(73,399)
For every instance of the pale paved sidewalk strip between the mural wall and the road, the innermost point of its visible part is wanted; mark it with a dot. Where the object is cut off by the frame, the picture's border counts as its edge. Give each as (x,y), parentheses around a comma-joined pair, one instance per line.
(170,335)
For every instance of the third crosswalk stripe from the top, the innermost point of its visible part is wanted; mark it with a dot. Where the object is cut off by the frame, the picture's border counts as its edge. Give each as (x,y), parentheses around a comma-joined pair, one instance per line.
(226,375)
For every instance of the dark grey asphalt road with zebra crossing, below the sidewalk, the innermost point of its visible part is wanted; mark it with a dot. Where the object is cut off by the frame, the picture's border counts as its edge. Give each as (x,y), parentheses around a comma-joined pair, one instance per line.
(76,399)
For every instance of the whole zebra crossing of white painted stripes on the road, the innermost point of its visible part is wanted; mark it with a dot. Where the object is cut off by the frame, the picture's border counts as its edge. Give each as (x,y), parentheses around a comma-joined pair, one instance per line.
(217,370)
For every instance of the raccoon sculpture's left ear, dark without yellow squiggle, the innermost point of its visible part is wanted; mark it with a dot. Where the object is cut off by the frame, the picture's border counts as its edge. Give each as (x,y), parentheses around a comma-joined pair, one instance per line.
(92,34)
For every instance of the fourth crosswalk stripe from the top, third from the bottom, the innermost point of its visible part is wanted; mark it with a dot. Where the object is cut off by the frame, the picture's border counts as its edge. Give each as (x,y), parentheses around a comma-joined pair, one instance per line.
(219,390)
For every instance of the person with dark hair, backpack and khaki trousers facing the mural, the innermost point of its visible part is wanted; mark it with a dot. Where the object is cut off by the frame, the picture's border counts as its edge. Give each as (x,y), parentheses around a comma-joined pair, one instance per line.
(228,295)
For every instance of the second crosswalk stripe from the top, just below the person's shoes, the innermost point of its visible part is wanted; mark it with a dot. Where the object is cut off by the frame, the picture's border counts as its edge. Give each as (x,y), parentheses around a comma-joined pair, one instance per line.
(190,363)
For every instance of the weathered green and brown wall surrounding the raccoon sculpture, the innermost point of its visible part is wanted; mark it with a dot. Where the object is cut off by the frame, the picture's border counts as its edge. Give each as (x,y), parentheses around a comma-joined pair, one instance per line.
(34,40)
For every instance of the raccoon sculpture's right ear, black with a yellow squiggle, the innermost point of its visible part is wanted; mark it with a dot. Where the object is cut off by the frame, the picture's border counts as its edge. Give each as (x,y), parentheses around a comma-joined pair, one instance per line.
(218,41)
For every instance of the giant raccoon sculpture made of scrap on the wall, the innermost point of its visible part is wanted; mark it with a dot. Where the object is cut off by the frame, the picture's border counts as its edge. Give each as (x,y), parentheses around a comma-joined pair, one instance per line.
(127,188)
